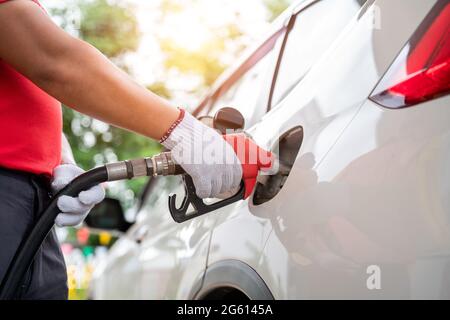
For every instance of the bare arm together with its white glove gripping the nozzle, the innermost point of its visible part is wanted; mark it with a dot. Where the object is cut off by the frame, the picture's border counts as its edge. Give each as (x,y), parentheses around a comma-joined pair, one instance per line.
(78,75)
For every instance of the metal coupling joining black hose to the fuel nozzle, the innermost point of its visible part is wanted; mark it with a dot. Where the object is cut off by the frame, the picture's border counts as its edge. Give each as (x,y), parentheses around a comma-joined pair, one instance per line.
(159,165)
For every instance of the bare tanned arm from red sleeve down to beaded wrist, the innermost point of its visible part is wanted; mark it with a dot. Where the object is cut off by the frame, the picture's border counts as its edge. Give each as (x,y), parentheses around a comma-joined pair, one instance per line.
(76,73)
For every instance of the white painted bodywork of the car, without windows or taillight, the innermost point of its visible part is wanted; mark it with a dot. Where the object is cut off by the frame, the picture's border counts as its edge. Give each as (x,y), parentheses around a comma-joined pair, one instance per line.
(370,187)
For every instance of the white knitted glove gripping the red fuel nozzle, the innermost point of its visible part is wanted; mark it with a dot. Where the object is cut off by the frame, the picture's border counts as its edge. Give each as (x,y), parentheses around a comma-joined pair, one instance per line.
(205,156)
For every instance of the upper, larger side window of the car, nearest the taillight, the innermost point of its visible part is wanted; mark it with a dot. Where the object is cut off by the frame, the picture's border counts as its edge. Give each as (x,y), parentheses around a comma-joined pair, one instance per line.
(313,31)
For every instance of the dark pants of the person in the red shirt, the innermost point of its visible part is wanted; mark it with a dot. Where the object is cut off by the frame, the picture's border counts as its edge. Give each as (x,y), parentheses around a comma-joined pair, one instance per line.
(22,198)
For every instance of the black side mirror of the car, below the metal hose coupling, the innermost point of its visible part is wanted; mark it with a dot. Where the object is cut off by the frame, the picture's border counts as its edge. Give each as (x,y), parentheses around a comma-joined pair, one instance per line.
(108,215)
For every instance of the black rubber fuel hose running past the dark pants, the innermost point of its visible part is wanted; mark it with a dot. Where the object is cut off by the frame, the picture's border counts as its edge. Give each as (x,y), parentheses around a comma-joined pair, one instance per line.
(18,267)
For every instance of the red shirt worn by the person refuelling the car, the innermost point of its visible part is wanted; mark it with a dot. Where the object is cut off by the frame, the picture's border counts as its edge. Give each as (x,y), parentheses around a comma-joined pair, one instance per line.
(30,124)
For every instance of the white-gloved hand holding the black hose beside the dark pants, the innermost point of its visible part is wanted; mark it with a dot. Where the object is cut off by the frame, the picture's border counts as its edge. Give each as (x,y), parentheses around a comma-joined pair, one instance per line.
(74,210)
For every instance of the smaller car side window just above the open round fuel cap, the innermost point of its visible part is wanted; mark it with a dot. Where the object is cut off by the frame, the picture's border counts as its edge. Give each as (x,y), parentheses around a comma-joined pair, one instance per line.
(249,93)
